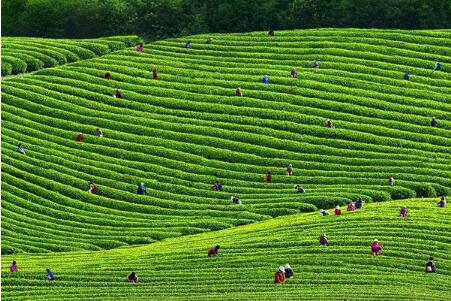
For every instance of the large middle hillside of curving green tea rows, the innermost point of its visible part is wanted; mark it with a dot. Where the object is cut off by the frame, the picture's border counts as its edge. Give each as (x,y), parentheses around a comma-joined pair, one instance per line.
(181,132)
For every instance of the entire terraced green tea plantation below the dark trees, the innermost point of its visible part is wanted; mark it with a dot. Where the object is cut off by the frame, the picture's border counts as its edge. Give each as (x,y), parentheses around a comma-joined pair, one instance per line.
(181,132)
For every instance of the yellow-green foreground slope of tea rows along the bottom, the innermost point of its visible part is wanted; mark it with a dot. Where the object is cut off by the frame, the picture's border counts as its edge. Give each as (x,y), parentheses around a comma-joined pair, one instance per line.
(179,269)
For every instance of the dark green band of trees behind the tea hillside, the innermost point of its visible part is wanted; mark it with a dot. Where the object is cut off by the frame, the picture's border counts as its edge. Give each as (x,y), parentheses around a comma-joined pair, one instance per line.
(162,18)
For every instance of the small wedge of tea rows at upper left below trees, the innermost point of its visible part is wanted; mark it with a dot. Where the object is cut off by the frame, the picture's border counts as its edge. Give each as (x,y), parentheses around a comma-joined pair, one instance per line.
(20,55)
